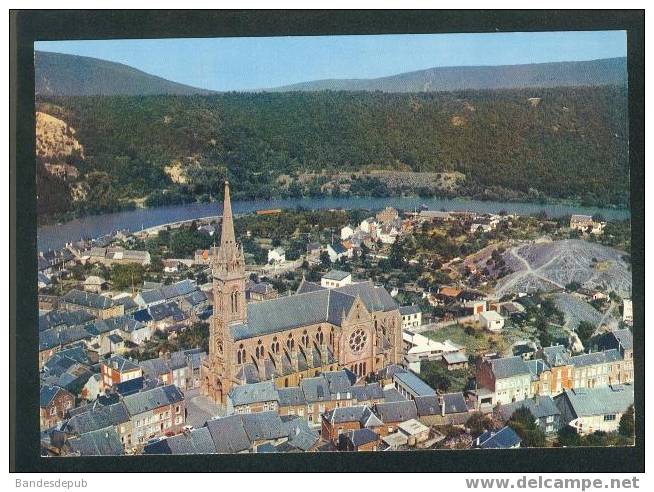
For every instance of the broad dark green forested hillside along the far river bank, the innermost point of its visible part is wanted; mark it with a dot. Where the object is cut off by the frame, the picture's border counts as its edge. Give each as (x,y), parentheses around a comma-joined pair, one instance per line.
(520,144)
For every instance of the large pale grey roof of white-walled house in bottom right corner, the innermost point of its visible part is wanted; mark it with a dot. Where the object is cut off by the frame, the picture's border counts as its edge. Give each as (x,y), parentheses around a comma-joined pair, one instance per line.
(600,401)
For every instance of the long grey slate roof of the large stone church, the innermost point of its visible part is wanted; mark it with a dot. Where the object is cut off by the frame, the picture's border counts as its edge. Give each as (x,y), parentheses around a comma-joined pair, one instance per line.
(317,306)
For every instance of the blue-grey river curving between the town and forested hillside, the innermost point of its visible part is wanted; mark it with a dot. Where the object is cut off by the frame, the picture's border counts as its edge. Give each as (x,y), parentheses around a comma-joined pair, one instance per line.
(55,236)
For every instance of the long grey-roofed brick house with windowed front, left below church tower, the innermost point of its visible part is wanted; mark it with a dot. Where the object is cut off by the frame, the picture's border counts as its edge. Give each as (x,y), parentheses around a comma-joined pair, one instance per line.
(156,412)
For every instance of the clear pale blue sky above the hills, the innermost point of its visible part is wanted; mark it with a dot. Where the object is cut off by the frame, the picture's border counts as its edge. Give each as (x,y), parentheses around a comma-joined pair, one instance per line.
(225,64)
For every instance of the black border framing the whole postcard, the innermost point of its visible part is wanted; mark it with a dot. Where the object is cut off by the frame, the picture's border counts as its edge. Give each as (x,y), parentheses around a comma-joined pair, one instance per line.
(28,26)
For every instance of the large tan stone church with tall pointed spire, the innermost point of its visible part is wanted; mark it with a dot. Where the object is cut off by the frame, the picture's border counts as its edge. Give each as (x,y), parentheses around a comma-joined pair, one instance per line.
(356,326)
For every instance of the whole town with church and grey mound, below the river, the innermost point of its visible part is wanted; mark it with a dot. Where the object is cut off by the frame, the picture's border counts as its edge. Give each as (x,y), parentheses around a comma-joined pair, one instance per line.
(338,330)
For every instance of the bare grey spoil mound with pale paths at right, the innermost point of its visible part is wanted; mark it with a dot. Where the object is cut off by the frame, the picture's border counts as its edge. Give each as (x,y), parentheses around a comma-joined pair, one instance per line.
(550,266)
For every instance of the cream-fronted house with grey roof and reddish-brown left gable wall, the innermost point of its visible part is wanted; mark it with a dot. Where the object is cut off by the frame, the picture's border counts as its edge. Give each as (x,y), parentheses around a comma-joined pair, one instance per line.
(508,379)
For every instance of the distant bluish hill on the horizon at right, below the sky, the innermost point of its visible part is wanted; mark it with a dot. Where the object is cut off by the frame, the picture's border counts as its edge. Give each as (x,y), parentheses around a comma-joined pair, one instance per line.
(610,71)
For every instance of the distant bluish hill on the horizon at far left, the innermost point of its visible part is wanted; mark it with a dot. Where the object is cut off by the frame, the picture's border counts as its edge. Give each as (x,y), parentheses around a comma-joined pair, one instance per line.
(70,75)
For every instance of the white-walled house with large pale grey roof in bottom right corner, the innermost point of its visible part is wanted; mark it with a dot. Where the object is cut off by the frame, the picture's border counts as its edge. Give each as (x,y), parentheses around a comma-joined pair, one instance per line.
(588,410)
